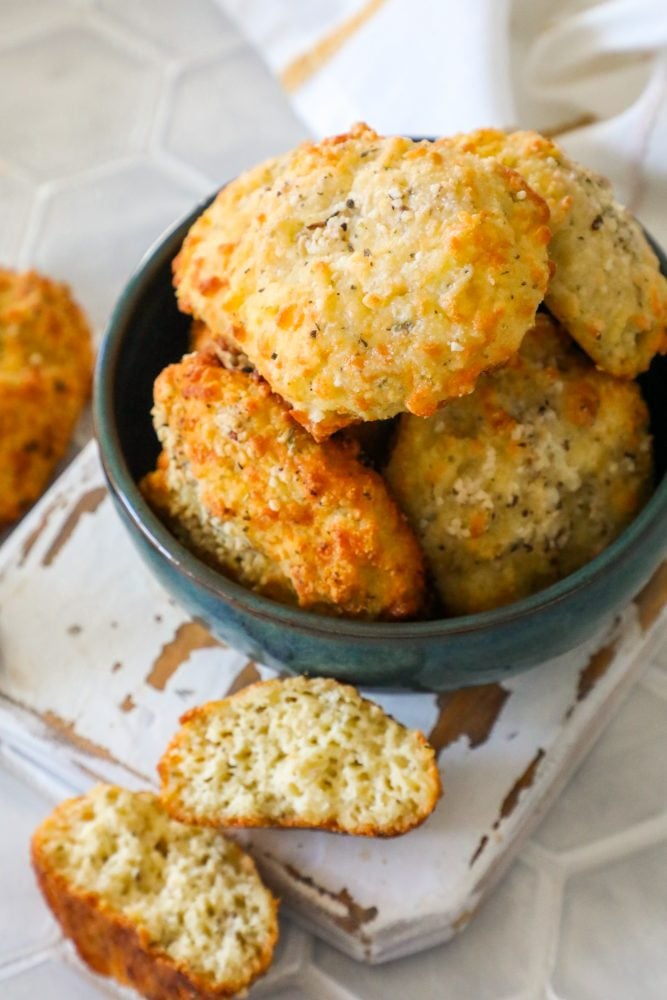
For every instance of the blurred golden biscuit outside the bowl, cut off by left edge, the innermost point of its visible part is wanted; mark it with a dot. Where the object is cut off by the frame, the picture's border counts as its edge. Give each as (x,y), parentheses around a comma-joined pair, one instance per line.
(45,373)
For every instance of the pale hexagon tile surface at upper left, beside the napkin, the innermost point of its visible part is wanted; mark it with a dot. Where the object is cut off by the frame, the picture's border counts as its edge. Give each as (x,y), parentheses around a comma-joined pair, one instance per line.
(117,117)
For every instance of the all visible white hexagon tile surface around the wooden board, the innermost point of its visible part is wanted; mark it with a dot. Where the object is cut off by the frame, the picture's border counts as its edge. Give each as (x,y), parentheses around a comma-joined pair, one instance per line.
(116,117)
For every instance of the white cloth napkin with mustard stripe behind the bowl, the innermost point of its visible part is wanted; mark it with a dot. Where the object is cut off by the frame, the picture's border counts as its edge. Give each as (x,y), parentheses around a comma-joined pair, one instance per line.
(596,73)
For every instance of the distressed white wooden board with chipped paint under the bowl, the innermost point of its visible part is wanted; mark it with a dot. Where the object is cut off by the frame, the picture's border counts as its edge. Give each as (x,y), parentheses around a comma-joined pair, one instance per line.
(91,645)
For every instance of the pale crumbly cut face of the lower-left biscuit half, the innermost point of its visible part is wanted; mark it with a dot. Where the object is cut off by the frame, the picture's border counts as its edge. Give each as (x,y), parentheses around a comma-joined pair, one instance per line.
(195,893)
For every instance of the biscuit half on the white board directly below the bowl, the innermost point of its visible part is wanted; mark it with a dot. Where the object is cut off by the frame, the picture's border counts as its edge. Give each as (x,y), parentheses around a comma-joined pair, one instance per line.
(299,752)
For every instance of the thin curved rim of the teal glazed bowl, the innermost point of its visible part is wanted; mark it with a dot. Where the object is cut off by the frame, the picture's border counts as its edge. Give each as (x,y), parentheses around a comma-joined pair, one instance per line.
(158,536)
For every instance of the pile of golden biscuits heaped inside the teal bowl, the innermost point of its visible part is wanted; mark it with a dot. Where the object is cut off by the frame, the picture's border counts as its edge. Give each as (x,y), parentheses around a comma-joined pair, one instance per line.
(411,391)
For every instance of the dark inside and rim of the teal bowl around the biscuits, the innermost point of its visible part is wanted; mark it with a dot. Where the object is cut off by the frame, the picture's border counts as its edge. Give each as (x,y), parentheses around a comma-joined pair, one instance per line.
(147,332)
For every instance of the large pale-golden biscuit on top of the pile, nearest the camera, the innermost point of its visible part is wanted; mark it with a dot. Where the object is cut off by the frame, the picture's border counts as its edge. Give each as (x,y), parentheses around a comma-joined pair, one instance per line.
(364,276)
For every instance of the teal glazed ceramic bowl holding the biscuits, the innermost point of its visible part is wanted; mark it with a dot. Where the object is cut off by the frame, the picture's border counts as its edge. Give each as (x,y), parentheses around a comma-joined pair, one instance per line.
(147,332)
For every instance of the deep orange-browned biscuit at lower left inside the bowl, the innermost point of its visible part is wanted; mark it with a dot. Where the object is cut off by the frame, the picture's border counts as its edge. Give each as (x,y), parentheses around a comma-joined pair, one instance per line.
(252,492)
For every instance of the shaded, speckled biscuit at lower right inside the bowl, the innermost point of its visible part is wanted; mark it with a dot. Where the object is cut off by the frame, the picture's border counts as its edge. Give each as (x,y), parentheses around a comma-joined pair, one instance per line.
(528,478)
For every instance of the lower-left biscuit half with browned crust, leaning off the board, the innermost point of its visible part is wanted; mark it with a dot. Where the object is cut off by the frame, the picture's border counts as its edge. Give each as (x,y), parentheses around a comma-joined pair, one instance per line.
(171,910)
